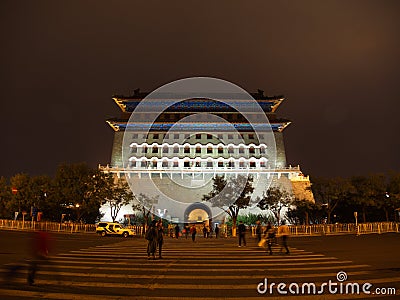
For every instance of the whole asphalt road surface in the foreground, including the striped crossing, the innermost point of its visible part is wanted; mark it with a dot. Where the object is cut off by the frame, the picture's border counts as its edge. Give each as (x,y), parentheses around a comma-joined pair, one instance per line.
(85,266)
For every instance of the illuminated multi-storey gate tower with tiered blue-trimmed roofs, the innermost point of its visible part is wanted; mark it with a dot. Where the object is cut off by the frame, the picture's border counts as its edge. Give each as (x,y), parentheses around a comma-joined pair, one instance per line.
(170,159)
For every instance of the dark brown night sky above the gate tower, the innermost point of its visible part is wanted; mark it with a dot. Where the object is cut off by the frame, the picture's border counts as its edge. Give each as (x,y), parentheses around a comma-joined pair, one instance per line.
(336,62)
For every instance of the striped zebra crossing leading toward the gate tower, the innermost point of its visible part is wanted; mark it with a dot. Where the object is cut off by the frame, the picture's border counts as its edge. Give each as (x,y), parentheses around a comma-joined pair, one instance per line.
(207,269)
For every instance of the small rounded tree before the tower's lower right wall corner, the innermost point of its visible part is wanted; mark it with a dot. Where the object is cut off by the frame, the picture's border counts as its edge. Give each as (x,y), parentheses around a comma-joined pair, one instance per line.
(275,199)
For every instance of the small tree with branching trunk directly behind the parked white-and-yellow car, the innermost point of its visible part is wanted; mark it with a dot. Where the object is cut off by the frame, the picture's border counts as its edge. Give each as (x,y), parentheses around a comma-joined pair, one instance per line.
(121,196)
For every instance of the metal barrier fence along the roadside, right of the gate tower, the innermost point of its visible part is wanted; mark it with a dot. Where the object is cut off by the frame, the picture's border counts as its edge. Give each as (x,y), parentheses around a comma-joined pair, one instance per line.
(351,228)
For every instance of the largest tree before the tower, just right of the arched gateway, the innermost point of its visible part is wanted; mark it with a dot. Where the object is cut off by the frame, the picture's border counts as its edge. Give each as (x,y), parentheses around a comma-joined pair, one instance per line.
(231,195)
